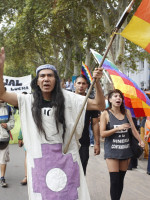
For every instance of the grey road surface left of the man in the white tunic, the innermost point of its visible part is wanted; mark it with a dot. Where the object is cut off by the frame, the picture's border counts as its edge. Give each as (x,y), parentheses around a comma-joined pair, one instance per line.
(14,174)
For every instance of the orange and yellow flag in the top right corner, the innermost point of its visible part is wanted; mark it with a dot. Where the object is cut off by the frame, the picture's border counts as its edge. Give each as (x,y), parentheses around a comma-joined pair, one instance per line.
(138,29)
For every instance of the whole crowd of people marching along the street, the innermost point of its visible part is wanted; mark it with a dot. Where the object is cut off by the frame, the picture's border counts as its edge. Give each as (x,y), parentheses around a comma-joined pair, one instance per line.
(51,112)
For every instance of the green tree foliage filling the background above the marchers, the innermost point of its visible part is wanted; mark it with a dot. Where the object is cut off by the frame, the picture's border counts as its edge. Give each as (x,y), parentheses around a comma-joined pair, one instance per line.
(60,32)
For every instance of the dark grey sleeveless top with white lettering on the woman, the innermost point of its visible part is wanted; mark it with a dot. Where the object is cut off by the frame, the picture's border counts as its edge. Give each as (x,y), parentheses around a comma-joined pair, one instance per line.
(117,146)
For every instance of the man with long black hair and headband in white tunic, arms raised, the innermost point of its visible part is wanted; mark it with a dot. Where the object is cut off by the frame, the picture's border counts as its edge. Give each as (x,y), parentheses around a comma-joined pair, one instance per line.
(47,118)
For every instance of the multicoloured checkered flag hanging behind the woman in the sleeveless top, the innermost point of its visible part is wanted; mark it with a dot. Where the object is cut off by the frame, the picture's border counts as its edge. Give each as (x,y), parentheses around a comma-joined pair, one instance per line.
(135,99)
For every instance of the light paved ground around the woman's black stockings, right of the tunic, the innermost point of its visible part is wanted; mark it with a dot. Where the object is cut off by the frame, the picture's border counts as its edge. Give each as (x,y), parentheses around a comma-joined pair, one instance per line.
(136,184)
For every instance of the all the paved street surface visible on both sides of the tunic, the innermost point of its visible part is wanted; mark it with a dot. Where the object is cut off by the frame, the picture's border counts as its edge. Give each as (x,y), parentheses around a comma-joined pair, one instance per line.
(136,181)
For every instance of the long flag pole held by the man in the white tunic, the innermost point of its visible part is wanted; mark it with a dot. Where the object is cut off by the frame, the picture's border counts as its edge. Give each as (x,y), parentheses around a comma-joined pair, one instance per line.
(117,27)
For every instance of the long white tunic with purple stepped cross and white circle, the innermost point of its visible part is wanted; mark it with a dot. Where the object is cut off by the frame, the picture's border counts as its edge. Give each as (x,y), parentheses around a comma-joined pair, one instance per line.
(51,174)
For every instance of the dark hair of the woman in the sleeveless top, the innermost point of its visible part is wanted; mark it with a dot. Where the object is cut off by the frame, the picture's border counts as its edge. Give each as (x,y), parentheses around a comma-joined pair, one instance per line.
(122,107)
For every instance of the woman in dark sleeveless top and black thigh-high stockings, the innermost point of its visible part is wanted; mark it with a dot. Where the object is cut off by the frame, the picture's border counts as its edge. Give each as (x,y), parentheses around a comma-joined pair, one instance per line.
(114,126)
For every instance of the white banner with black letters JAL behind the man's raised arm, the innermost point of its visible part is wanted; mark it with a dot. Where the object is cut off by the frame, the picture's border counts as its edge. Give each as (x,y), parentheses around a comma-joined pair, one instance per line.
(18,84)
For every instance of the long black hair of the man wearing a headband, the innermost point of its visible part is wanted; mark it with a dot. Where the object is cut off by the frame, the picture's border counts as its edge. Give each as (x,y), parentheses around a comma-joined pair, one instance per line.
(57,100)
